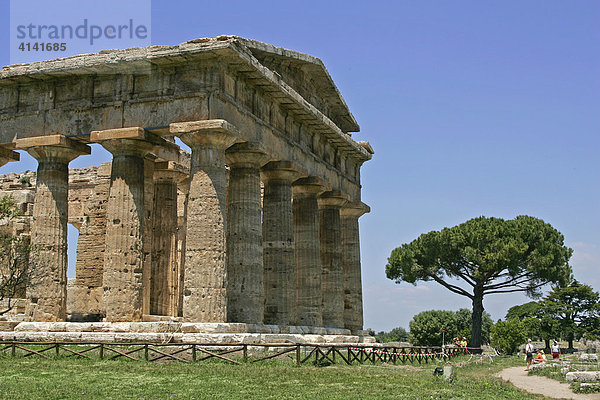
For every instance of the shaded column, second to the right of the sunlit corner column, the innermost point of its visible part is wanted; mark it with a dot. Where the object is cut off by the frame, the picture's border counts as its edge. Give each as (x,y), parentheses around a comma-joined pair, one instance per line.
(278,239)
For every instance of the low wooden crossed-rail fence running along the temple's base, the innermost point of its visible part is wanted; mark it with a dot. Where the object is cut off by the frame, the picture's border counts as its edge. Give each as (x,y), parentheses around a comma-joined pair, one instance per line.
(301,353)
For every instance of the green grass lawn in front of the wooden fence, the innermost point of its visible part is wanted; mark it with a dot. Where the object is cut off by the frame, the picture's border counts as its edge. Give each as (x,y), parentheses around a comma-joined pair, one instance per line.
(62,378)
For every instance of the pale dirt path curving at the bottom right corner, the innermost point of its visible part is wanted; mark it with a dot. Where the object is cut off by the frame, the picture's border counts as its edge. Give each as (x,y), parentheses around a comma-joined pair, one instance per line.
(542,385)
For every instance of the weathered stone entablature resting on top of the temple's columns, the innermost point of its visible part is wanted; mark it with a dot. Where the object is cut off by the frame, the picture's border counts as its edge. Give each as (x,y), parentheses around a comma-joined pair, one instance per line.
(202,79)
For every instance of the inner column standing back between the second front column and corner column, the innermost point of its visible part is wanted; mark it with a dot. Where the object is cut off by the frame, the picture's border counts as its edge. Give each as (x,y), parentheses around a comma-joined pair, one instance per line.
(164,274)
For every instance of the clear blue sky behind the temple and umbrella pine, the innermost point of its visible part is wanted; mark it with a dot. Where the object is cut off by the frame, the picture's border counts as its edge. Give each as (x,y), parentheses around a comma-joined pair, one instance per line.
(473,108)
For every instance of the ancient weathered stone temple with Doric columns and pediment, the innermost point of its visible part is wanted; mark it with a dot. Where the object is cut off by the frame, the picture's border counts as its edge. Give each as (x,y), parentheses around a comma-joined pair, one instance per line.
(257,225)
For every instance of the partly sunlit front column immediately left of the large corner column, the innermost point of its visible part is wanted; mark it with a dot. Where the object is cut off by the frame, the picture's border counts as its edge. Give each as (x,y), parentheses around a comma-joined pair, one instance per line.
(123,277)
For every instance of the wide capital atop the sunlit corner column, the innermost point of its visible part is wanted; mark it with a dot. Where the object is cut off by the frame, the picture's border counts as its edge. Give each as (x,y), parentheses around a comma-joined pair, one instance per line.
(215,133)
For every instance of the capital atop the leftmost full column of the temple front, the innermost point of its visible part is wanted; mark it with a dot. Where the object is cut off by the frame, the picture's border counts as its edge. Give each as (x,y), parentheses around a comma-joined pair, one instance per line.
(53,147)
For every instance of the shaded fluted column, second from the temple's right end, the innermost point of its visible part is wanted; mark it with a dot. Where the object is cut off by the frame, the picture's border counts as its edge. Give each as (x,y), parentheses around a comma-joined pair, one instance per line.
(332,279)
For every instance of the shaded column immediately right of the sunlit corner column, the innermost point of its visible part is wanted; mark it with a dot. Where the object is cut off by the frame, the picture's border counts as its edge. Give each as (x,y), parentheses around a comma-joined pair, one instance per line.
(245,287)
